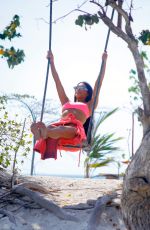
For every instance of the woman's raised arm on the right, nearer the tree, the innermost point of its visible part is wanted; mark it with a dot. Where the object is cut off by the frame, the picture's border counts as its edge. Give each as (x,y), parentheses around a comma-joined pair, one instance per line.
(96,94)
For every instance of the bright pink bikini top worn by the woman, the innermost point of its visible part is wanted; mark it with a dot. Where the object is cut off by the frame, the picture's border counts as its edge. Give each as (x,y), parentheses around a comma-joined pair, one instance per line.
(77,105)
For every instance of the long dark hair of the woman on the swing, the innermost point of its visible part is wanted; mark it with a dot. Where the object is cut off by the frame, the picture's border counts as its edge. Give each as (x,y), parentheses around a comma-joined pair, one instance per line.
(88,98)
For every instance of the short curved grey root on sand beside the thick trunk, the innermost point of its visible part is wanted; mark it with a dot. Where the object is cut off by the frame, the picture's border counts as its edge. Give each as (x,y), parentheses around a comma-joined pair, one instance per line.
(98,210)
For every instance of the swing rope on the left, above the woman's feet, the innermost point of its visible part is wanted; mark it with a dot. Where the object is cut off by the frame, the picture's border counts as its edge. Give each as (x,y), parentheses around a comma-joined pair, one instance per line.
(48,62)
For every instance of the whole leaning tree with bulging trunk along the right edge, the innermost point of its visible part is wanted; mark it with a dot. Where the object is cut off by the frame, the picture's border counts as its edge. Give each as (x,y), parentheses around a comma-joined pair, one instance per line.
(136,186)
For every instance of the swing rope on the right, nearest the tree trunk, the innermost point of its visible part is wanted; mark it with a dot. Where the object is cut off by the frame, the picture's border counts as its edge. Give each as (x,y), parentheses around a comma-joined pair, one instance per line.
(98,85)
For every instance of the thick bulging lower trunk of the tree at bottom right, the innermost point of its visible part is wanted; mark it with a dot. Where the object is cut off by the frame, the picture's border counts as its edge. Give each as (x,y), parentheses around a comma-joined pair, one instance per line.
(136,189)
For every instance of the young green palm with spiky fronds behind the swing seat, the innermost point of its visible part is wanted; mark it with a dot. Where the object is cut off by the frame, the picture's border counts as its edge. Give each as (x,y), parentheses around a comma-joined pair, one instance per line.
(101,145)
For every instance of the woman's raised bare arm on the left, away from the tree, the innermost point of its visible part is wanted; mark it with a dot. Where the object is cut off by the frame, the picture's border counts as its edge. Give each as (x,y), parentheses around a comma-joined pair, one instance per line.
(60,89)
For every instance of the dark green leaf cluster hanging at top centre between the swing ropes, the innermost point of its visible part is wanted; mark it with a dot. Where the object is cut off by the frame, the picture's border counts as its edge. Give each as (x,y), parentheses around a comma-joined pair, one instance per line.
(87,19)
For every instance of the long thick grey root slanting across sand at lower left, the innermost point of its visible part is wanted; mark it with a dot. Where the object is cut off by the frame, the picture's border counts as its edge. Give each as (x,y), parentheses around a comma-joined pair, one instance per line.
(44,203)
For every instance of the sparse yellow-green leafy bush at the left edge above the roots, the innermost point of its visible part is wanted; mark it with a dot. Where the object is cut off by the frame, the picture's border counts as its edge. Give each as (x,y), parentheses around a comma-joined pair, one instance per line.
(11,137)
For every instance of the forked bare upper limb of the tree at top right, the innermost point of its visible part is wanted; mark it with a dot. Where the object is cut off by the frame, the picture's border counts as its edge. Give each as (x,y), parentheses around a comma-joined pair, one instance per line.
(129,38)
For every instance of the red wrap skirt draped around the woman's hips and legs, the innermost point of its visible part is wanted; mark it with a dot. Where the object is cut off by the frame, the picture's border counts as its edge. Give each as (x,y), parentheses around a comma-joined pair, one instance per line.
(48,148)
